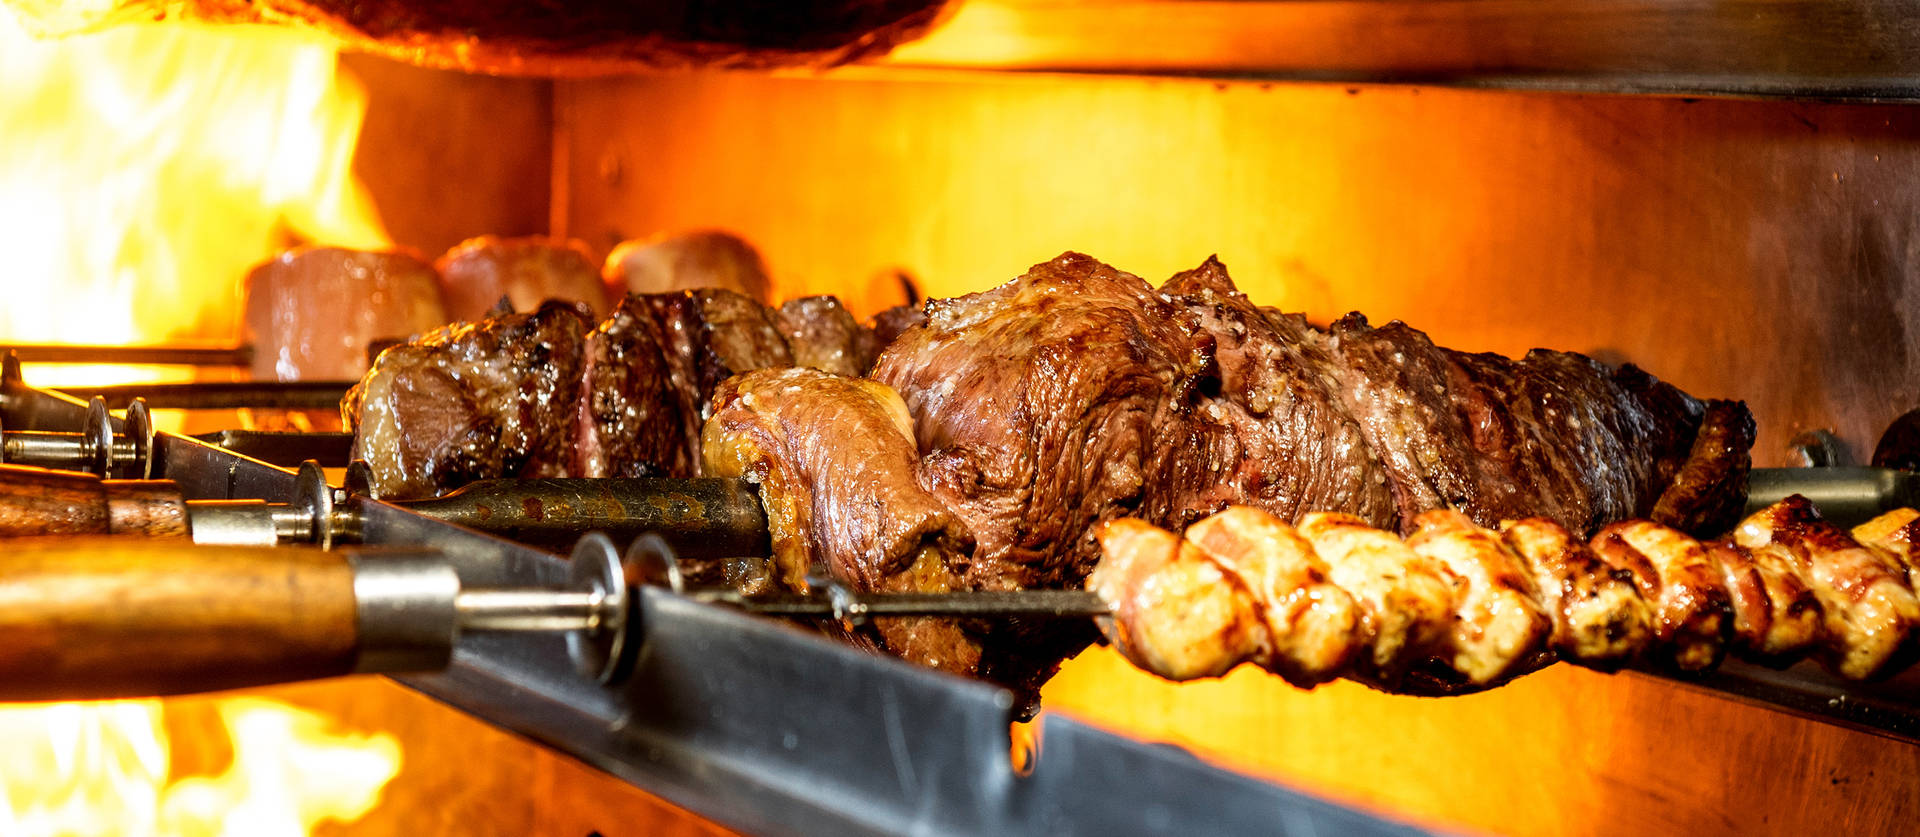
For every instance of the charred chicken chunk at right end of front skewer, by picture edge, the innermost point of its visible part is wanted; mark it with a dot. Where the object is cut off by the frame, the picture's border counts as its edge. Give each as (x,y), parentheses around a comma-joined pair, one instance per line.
(1869,608)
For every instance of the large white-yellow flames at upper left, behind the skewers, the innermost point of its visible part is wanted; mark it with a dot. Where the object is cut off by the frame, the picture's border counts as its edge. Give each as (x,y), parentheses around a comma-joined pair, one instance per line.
(147,168)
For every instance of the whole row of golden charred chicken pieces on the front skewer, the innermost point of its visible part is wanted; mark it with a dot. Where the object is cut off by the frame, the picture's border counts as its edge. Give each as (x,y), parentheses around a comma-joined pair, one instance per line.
(1458,608)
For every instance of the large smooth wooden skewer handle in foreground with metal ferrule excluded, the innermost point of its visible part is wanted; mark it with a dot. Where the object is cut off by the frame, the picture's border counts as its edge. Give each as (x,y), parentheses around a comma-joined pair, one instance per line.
(116,617)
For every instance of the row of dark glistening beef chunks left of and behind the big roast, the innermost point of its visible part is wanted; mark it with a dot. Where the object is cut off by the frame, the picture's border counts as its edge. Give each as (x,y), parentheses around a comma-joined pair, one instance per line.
(443,410)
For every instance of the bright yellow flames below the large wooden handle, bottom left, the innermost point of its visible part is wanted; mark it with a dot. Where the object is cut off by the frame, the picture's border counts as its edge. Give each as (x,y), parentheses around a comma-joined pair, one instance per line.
(101,769)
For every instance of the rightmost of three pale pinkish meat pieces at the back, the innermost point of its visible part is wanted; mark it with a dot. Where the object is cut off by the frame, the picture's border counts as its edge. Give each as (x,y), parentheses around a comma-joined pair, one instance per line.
(688,262)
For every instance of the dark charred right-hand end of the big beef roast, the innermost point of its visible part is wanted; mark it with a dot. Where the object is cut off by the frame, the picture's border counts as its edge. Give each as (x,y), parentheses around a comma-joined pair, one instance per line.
(1554,435)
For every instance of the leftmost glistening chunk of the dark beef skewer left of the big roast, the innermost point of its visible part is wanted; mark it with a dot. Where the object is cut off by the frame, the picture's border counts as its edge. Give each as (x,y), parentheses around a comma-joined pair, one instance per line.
(471,402)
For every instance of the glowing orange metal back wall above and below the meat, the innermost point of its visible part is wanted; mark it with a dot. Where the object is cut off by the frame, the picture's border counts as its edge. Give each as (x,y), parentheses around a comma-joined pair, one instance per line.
(1752,251)
